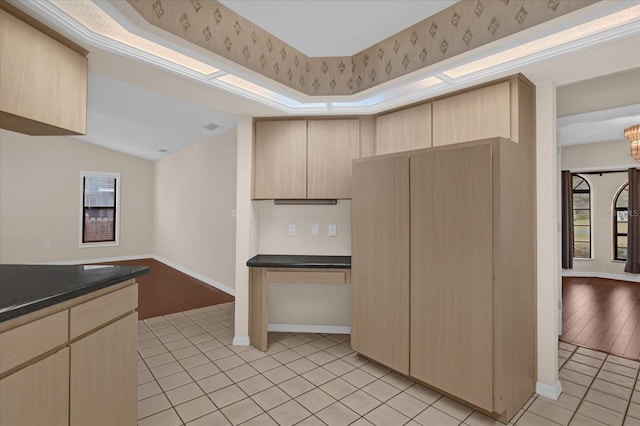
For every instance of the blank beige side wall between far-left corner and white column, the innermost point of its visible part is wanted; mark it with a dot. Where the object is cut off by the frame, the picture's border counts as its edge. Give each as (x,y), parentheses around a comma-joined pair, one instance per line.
(195,192)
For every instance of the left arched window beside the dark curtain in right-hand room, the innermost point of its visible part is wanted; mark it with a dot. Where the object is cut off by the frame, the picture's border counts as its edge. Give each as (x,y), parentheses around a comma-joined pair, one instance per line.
(581,218)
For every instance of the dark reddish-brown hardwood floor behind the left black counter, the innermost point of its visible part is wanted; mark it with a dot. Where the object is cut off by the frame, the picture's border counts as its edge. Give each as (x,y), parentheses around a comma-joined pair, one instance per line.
(166,290)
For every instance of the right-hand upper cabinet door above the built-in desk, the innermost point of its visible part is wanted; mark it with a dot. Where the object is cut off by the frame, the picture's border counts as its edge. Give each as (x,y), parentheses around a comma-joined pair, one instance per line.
(331,145)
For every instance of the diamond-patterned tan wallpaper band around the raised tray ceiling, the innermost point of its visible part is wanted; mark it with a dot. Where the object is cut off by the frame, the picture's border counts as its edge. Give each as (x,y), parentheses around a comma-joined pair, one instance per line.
(461,27)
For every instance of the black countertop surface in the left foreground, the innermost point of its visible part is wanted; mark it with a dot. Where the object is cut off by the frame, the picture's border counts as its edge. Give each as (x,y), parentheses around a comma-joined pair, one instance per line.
(28,288)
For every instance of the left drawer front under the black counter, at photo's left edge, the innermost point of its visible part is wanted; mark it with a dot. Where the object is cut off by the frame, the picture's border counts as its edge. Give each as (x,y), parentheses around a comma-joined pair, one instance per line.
(28,341)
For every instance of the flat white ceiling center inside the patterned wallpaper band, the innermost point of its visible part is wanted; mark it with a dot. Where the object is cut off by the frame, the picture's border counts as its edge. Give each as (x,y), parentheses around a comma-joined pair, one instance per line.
(335,27)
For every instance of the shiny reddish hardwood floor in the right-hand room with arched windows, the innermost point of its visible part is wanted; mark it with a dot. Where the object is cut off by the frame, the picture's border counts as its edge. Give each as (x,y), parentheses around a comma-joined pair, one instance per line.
(602,314)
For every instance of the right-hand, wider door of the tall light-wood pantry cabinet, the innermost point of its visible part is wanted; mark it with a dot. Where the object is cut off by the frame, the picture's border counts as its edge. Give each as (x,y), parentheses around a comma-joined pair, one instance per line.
(451,272)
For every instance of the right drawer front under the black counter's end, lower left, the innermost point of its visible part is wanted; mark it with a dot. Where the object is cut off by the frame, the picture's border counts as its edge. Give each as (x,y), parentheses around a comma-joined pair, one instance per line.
(94,313)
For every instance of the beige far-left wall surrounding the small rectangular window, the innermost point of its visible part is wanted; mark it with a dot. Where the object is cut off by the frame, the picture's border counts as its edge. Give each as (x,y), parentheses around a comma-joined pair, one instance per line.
(40,196)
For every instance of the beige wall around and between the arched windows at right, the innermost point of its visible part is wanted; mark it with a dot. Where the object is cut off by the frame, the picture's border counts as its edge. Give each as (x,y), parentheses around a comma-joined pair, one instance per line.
(600,156)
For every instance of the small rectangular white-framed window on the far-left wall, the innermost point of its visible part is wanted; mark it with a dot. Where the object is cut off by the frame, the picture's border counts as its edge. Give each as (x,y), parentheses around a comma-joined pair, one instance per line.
(100,206)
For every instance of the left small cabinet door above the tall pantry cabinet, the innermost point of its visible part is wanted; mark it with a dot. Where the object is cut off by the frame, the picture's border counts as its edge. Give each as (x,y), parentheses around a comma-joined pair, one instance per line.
(404,130)
